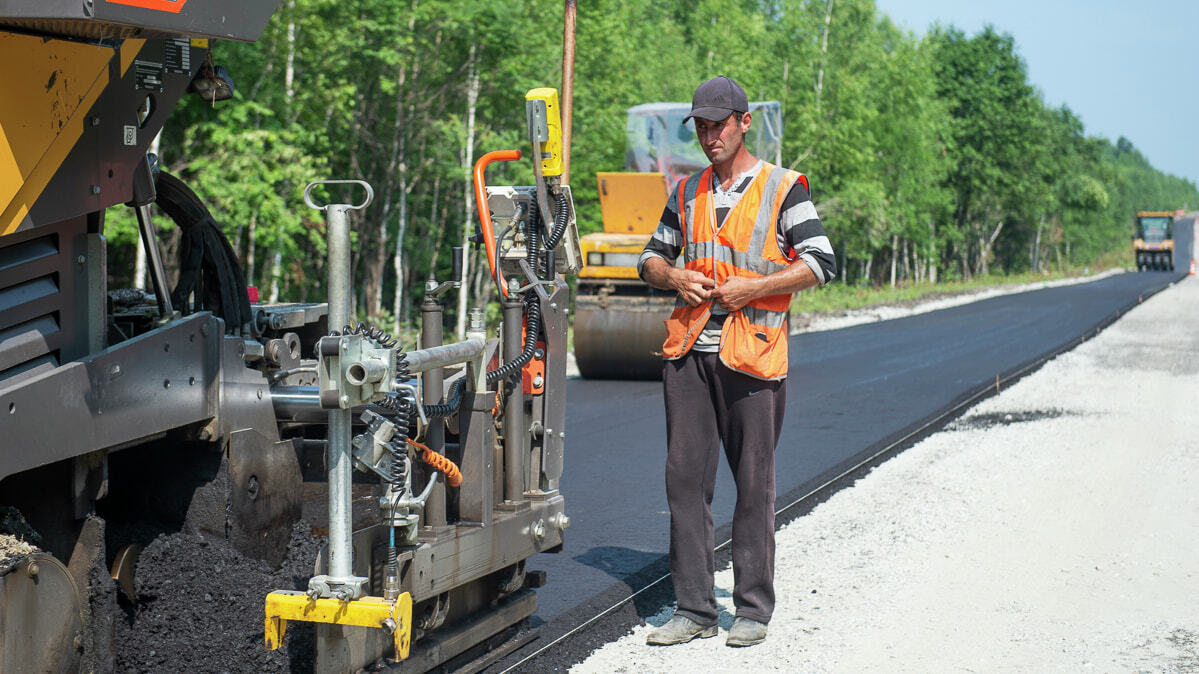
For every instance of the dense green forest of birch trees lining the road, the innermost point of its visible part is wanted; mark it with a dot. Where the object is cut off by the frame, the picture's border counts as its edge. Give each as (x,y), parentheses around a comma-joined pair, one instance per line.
(931,158)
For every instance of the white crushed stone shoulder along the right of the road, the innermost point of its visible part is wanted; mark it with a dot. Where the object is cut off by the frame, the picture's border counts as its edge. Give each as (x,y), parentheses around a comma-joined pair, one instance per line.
(1062,544)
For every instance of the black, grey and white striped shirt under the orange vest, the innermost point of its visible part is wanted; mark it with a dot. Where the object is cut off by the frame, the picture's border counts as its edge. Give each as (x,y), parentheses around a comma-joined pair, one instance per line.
(799,231)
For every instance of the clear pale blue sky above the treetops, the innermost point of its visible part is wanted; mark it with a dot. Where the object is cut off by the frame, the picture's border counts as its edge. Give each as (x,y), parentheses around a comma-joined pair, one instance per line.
(1126,69)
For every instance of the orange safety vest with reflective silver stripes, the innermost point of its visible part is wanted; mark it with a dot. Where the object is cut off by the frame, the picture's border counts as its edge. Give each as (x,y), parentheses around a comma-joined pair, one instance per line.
(754,340)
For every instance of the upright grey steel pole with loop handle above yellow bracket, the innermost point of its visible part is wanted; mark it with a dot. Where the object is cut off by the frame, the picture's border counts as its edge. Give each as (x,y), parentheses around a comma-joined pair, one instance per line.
(341,551)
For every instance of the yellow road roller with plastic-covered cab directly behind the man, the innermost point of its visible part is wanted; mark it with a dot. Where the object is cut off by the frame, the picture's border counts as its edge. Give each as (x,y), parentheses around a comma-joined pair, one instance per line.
(619,320)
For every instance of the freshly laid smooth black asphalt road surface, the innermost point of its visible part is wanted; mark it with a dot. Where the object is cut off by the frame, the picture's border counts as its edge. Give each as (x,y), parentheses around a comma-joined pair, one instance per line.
(851,393)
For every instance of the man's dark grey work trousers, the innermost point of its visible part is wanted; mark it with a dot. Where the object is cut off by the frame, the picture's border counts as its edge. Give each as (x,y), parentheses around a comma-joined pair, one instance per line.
(709,405)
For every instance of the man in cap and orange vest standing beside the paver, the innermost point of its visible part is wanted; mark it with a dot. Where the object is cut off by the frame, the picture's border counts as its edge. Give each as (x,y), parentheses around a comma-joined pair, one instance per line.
(750,238)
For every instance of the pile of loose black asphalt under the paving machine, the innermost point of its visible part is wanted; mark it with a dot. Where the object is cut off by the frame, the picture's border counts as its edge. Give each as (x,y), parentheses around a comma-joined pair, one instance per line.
(201,609)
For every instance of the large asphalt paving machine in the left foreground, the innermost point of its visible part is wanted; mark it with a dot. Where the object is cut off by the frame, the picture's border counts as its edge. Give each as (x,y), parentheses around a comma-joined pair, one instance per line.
(190,416)
